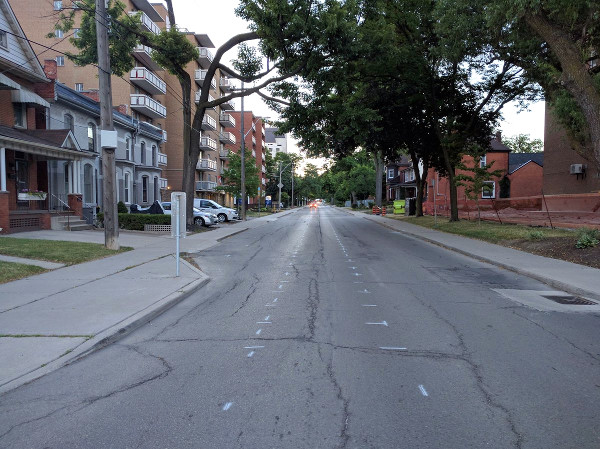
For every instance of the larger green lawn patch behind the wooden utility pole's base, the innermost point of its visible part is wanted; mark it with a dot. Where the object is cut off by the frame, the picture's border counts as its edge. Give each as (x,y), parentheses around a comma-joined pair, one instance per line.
(69,253)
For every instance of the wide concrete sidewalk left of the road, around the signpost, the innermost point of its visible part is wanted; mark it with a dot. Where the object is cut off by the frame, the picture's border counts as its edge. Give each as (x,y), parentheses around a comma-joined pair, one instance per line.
(53,318)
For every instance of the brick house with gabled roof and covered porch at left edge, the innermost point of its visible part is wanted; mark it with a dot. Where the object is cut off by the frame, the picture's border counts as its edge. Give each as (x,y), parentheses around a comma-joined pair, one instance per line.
(27,147)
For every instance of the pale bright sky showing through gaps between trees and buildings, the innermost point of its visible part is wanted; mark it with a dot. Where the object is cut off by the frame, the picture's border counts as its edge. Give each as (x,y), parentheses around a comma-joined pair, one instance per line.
(218,20)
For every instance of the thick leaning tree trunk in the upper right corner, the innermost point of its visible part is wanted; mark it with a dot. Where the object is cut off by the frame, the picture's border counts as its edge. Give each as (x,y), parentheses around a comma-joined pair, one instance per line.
(575,76)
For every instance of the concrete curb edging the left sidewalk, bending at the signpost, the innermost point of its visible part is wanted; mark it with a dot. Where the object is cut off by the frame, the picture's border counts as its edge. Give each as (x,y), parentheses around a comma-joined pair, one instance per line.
(113,333)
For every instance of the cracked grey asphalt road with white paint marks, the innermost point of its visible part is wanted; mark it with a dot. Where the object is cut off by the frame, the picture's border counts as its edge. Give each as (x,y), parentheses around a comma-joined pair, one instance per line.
(325,330)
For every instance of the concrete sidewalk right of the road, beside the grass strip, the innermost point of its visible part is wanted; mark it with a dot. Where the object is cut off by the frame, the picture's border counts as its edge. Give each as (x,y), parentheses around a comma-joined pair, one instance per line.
(569,277)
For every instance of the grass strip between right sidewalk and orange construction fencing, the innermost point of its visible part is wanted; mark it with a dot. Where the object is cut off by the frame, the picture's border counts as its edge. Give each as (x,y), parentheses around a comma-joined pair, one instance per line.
(488,231)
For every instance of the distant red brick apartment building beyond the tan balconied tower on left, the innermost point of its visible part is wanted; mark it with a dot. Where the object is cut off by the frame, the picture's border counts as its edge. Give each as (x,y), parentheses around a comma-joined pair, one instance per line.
(254,129)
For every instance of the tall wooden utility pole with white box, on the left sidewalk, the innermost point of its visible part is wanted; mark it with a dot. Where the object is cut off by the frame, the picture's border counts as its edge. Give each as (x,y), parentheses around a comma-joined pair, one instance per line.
(108,136)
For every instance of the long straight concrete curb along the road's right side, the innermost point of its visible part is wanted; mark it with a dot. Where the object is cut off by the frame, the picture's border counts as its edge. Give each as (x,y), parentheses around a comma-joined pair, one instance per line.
(569,288)
